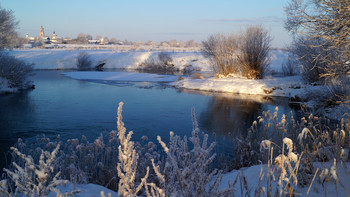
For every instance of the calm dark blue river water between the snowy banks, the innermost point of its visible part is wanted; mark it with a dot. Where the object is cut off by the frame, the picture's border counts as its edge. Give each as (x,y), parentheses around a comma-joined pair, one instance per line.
(71,108)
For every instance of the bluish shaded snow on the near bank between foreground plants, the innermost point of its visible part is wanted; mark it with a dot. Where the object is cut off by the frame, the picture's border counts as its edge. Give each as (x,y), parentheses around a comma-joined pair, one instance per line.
(252,177)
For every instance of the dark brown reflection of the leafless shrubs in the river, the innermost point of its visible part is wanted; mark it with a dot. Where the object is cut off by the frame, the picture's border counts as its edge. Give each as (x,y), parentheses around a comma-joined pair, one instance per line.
(229,116)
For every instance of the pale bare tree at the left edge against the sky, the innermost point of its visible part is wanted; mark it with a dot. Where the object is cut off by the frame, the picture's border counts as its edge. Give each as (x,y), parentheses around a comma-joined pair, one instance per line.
(8,25)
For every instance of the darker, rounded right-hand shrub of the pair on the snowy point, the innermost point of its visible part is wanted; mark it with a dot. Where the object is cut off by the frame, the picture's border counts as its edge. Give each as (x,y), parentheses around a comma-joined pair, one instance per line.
(254,48)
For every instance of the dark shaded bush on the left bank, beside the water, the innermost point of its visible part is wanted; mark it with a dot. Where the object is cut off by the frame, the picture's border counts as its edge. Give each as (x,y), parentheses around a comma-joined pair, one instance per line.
(15,71)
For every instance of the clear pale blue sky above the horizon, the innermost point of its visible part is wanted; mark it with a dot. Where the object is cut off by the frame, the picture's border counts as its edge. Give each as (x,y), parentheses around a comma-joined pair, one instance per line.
(142,20)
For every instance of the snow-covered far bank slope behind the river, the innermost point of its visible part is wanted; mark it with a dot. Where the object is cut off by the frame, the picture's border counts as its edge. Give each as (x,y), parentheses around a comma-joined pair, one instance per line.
(114,58)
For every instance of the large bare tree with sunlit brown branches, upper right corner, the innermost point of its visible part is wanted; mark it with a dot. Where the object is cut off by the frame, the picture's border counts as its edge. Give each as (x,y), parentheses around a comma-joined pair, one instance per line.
(328,20)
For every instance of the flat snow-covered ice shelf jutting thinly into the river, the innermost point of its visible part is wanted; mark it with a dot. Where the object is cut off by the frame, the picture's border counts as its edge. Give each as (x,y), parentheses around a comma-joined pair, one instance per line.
(120,76)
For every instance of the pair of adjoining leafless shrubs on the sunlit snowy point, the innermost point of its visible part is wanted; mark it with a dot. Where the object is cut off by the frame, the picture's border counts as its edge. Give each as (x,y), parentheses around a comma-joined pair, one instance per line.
(245,53)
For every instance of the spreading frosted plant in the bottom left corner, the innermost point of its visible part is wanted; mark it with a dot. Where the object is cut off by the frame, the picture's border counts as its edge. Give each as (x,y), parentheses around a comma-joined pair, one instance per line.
(36,179)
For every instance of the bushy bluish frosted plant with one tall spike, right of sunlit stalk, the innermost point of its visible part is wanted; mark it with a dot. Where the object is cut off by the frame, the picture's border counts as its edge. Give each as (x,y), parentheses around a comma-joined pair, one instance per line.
(187,171)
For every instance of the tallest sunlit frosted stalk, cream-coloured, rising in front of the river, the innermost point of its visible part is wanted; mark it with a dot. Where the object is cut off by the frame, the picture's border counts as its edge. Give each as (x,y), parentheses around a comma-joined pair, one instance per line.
(127,165)
